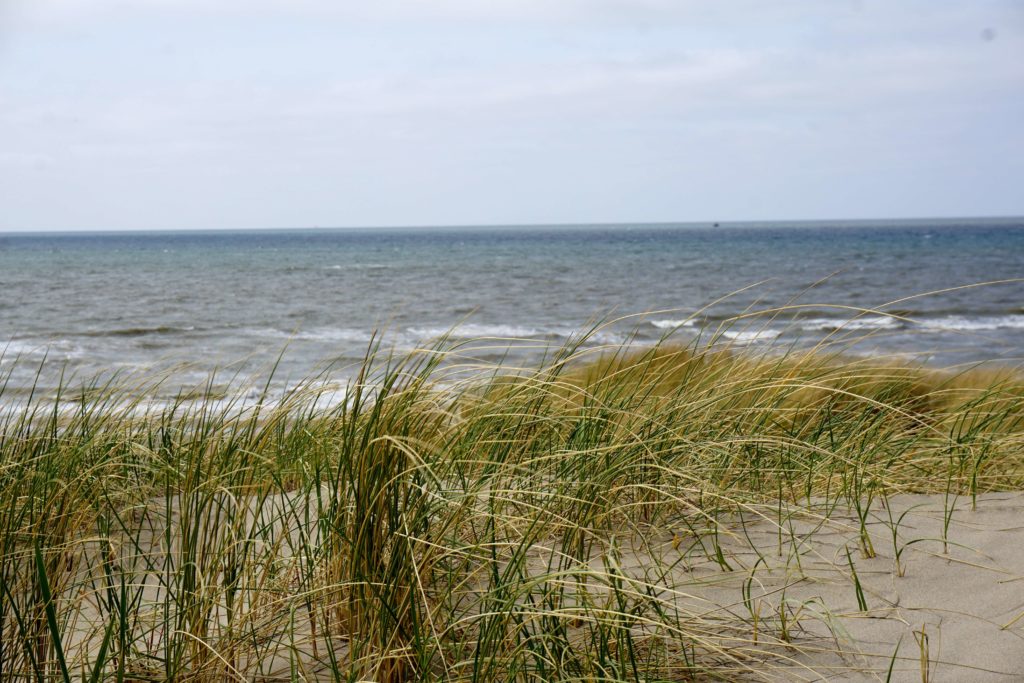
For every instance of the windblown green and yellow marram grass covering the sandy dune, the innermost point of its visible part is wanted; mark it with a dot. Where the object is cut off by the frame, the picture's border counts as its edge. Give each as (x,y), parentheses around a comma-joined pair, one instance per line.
(457,522)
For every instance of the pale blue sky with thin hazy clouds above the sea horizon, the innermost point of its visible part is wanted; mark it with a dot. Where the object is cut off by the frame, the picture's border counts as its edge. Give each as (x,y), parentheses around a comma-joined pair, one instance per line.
(244,114)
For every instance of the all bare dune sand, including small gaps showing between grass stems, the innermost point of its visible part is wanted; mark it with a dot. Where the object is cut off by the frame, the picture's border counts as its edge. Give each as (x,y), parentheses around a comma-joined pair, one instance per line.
(951,611)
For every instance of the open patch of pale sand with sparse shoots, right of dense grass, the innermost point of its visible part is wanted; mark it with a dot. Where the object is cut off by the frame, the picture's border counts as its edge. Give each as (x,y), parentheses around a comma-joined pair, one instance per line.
(956,611)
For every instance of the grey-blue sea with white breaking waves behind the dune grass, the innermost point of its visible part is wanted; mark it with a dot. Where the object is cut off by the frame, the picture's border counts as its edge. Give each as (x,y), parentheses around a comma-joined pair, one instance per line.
(224,308)
